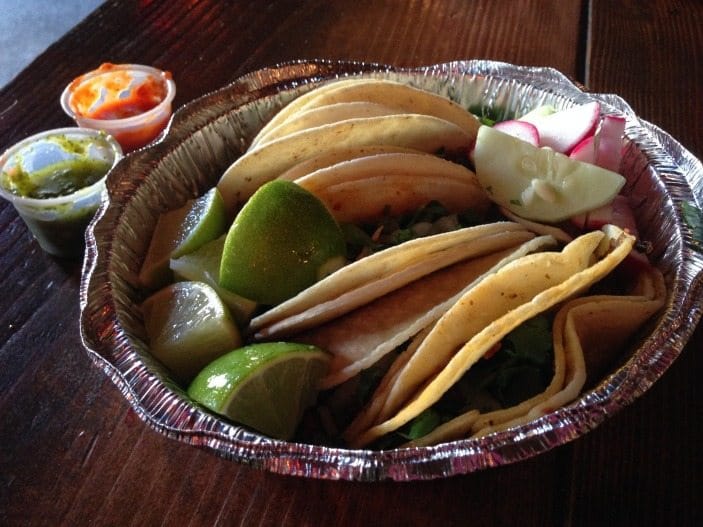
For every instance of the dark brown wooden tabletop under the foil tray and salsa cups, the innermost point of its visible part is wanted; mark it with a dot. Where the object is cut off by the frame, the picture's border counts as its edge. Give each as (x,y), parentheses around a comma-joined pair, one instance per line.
(71,450)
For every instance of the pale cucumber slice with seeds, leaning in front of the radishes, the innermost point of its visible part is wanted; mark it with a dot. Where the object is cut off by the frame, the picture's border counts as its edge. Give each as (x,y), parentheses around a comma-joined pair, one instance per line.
(539,183)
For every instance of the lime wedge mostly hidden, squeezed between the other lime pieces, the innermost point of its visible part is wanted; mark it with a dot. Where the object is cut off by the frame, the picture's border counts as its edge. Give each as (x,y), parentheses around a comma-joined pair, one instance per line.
(203,265)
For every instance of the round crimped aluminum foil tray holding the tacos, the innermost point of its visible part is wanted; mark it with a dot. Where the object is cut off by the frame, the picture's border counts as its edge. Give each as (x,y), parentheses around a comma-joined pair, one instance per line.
(205,136)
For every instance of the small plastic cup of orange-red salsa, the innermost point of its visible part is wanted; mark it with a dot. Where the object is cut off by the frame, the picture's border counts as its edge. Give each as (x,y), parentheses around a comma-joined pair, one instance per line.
(131,102)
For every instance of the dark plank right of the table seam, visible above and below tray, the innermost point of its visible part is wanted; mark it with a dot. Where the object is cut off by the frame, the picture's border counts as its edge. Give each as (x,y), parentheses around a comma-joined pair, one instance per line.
(642,51)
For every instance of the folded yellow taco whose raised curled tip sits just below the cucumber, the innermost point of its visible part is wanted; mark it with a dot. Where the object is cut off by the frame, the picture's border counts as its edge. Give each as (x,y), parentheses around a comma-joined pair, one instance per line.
(476,323)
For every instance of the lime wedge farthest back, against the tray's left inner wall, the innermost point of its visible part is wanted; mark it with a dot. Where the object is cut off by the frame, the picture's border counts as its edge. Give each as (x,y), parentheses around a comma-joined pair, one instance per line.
(180,232)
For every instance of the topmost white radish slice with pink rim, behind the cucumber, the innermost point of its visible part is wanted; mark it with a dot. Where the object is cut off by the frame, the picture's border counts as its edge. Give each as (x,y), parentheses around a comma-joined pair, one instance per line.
(564,129)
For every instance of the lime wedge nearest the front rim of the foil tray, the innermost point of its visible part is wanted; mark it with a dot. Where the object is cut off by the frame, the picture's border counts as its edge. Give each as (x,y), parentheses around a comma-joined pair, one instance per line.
(265,386)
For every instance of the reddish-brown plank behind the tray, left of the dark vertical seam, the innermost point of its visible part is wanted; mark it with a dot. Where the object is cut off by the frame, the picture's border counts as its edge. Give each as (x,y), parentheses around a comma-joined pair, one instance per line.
(418,32)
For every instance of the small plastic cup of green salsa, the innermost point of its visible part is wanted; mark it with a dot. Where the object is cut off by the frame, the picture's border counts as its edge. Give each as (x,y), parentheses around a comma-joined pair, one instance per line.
(55,180)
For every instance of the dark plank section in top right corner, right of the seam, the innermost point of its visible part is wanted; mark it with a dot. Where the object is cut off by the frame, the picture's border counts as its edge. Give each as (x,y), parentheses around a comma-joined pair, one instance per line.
(650,54)
